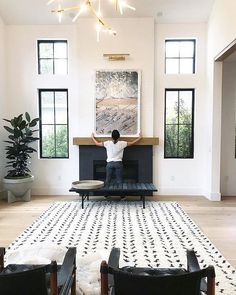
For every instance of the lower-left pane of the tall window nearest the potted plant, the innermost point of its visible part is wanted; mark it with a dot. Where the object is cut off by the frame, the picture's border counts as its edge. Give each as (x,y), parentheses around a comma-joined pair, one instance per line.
(48,141)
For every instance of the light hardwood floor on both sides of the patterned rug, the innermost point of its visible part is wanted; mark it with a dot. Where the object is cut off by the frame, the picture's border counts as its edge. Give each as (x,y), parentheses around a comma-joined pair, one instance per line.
(216,219)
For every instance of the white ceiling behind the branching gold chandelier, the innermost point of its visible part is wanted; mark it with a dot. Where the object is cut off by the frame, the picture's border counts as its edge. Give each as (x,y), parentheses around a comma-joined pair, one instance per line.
(32,12)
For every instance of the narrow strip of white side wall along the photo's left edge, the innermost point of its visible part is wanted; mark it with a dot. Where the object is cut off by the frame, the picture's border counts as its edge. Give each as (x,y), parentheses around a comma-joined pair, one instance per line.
(2,96)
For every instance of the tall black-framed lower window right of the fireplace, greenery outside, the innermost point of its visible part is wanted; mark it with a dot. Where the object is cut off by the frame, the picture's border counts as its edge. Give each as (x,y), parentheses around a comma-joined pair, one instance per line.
(179,106)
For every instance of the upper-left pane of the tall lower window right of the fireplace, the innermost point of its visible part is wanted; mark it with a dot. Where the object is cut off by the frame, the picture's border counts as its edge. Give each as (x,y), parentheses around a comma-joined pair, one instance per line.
(172,107)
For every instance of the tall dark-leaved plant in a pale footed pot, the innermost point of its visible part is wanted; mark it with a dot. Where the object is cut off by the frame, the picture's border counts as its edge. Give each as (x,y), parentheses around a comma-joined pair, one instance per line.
(18,181)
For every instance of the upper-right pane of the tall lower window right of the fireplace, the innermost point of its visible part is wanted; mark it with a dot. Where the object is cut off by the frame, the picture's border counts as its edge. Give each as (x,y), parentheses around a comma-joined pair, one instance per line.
(185,107)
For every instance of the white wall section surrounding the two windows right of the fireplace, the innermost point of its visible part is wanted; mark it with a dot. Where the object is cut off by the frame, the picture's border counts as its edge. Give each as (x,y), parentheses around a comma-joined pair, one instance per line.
(181,176)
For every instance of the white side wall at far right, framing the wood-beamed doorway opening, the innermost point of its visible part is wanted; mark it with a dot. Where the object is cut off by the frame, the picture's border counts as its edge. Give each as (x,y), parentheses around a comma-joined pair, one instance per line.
(221,32)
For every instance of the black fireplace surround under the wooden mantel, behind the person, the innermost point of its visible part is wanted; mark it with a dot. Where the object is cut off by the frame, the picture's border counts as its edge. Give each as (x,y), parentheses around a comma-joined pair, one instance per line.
(137,161)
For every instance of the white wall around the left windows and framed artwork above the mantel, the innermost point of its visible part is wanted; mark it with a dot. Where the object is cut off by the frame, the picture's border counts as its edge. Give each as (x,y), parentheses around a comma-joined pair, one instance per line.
(85,55)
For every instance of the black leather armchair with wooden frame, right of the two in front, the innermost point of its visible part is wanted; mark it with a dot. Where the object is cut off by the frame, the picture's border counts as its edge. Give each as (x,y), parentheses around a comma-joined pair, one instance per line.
(156,281)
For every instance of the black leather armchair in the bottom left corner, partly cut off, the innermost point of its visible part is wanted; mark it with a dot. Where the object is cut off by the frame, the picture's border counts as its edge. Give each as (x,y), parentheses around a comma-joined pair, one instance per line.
(28,279)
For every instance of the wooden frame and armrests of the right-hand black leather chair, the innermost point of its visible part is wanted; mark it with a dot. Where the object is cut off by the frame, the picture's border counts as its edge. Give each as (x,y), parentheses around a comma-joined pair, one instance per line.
(106,269)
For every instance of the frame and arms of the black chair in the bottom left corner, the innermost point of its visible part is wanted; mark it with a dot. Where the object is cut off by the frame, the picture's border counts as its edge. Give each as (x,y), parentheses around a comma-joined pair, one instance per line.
(64,274)
